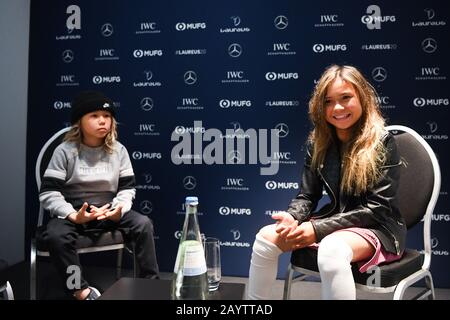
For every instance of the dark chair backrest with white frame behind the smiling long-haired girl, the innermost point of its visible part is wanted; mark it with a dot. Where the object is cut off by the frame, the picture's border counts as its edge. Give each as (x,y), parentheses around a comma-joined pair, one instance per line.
(420,177)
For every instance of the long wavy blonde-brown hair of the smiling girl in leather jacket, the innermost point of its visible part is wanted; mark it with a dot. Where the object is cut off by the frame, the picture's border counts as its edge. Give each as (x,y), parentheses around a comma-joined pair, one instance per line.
(361,163)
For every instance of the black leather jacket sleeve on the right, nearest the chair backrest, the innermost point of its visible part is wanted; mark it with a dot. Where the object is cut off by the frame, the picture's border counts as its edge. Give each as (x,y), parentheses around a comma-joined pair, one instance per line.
(375,203)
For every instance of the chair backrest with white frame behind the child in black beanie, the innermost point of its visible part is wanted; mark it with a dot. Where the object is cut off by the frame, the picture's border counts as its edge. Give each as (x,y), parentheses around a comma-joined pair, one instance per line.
(43,160)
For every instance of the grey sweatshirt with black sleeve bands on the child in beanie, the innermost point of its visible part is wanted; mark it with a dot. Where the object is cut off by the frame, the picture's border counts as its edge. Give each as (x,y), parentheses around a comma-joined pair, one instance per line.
(87,175)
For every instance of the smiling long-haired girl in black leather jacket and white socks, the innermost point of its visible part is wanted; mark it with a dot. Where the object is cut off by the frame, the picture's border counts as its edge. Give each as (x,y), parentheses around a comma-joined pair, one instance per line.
(350,154)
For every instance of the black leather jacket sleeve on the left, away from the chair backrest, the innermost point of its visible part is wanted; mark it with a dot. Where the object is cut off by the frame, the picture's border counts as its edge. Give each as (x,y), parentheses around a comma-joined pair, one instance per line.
(310,191)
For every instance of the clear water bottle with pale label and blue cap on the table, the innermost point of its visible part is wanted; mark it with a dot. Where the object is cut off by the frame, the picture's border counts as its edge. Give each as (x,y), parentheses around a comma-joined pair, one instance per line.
(190,273)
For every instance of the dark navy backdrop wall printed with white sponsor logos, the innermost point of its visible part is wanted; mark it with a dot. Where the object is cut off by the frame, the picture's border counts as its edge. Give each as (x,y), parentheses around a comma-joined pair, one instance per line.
(212,99)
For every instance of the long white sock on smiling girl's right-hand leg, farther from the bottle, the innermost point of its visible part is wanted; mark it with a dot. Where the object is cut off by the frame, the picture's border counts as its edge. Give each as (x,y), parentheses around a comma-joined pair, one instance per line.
(334,258)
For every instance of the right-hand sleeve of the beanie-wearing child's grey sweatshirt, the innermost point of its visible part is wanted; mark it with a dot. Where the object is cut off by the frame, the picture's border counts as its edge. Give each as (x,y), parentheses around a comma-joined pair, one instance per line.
(126,190)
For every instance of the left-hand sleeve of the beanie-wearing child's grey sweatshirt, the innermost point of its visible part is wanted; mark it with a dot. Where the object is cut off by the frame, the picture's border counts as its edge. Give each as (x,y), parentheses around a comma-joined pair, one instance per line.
(51,193)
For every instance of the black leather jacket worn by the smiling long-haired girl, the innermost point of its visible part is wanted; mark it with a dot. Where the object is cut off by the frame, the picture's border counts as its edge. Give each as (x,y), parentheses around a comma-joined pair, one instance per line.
(376,209)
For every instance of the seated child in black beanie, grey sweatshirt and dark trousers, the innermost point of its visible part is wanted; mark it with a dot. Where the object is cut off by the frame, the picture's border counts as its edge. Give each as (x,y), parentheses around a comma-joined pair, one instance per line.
(89,184)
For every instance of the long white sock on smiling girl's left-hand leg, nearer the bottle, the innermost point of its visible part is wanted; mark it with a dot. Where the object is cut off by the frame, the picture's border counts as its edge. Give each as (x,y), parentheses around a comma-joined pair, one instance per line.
(263,268)
